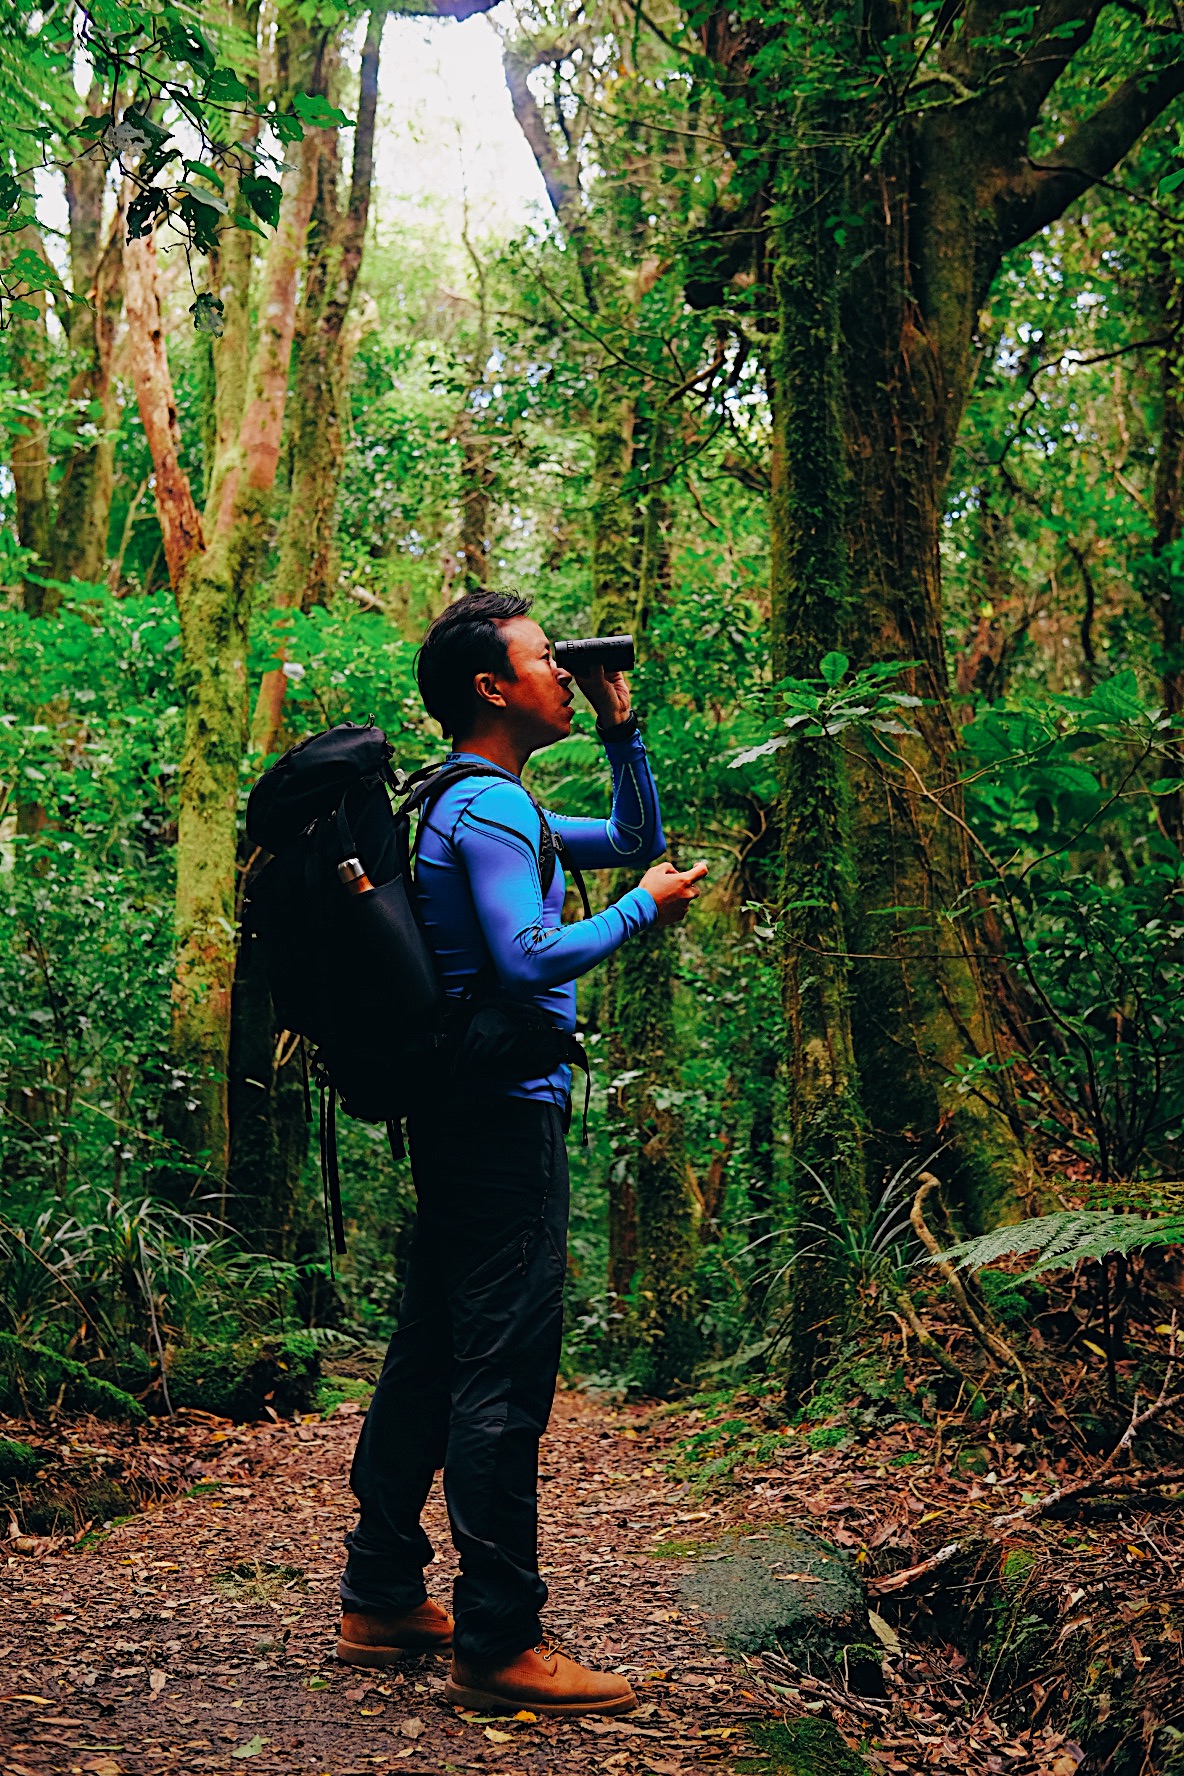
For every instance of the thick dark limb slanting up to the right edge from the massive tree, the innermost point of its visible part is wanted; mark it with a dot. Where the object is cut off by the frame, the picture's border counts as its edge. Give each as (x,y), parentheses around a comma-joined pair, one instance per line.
(1043,191)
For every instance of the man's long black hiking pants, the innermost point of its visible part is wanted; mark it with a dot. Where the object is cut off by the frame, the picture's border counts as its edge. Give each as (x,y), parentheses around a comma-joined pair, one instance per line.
(471,1374)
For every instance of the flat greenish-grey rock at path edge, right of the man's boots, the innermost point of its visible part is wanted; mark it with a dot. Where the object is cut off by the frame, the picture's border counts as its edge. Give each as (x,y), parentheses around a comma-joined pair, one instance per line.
(785,1590)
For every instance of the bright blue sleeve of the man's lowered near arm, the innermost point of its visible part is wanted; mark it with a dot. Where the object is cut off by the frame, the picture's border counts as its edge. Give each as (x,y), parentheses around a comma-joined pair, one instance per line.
(498,841)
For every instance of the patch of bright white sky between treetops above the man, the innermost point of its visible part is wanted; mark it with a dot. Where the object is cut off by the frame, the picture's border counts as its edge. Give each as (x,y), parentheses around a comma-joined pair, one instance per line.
(446,129)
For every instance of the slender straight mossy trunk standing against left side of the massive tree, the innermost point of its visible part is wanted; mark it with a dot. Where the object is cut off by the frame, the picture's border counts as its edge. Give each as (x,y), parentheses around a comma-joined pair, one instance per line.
(810,615)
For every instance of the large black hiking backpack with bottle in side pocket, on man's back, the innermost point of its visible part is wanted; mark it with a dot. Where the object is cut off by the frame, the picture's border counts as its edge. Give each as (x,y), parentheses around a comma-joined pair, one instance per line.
(352,972)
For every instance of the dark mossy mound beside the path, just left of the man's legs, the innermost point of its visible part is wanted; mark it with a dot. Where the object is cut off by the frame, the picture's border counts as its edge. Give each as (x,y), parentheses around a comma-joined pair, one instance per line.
(244,1379)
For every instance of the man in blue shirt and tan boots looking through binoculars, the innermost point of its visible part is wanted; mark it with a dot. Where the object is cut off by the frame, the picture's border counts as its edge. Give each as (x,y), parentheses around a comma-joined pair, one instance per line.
(471,1372)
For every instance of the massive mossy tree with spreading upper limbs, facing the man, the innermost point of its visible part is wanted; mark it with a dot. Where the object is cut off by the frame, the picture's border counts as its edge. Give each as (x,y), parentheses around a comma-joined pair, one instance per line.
(888,161)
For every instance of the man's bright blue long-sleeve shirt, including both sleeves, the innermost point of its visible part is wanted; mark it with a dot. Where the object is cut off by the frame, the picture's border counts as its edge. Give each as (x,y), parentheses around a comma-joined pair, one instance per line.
(482,896)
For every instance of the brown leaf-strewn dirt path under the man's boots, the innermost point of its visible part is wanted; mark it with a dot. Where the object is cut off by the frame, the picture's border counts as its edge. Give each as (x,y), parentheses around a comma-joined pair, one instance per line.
(198,1637)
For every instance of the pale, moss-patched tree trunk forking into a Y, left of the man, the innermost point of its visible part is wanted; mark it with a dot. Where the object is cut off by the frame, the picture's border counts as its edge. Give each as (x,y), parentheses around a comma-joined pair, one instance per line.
(214,560)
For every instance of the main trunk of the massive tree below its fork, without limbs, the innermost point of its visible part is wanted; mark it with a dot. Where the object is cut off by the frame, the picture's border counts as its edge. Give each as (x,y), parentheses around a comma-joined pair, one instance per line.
(922,1010)
